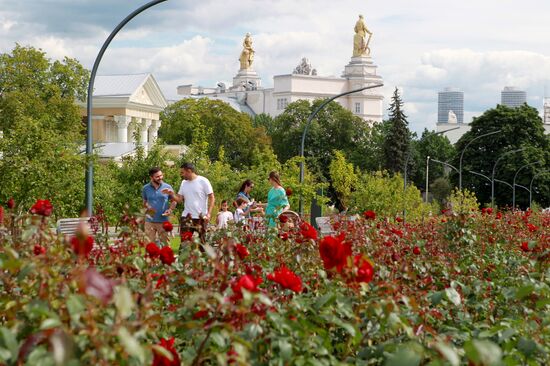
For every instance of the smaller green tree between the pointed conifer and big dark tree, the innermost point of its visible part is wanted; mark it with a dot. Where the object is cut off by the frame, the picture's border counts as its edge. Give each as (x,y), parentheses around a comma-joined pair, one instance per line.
(435,146)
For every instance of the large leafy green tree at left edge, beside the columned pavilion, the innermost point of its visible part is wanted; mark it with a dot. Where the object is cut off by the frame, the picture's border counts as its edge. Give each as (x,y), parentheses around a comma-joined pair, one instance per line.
(42,130)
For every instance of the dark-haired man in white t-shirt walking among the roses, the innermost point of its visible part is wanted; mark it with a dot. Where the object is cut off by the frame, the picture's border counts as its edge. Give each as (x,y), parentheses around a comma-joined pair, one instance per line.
(198,197)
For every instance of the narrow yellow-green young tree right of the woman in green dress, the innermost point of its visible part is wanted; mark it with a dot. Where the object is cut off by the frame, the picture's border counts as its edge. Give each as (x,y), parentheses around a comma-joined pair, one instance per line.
(343,179)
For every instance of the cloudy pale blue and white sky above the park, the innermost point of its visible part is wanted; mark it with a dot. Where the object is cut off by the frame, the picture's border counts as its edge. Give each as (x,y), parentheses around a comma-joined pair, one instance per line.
(419,46)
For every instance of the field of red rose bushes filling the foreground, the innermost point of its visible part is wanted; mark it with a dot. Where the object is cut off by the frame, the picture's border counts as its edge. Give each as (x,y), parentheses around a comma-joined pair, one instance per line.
(449,290)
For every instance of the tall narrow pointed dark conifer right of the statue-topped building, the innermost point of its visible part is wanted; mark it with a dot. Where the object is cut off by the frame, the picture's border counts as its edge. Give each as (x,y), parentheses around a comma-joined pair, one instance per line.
(396,144)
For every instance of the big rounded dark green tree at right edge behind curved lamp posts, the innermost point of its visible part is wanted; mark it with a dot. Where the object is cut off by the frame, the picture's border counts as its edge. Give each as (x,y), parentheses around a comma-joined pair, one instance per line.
(521,128)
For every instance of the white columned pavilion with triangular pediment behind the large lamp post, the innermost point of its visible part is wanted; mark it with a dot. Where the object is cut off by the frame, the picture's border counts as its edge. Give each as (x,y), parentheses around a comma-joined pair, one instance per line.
(125,112)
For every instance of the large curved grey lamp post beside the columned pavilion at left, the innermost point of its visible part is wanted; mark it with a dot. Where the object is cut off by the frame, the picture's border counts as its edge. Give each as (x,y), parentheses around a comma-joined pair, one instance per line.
(89,143)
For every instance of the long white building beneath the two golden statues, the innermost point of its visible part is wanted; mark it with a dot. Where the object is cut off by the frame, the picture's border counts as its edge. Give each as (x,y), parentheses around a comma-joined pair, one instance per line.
(247,94)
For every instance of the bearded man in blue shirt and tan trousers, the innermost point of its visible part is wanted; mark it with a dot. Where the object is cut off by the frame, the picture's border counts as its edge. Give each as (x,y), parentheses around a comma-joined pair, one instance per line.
(158,206)
